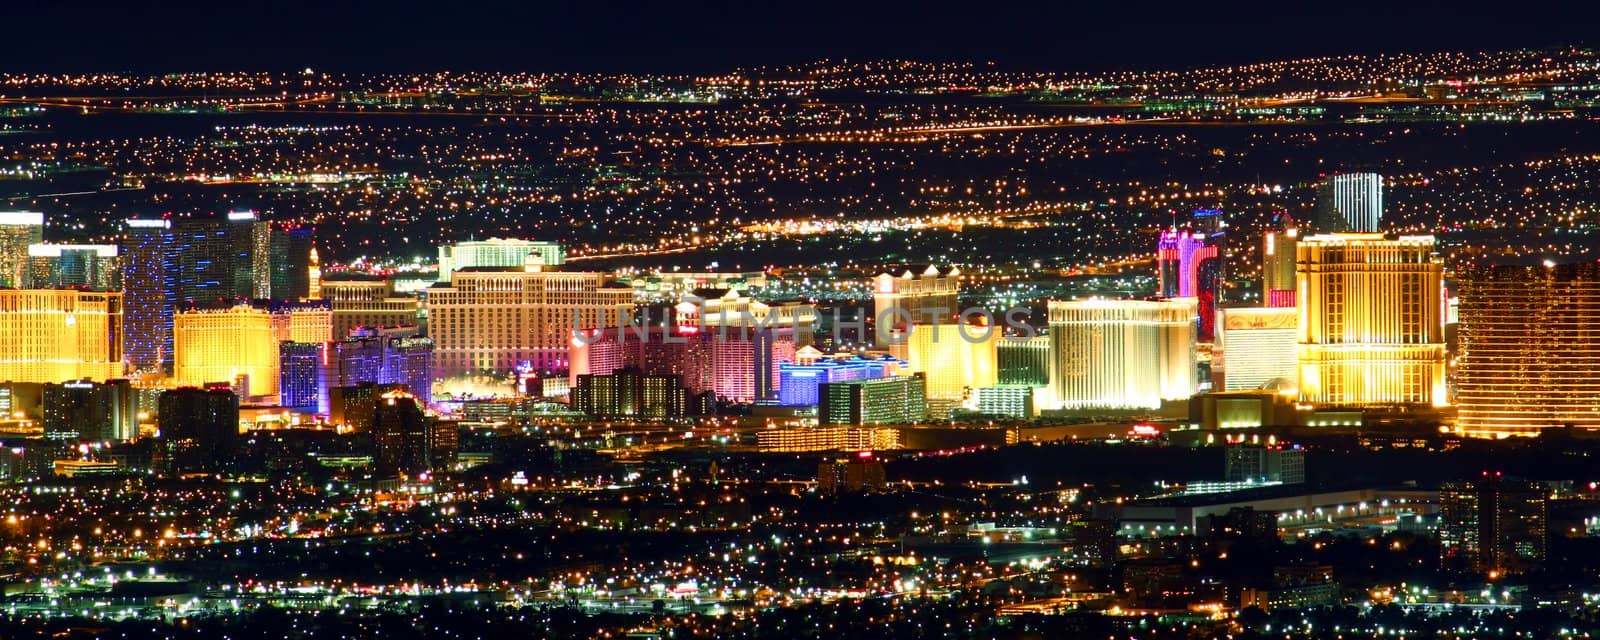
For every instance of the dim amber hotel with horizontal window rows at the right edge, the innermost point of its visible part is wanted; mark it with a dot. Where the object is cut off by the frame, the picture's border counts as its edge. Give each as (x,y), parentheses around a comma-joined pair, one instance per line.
(1529,353)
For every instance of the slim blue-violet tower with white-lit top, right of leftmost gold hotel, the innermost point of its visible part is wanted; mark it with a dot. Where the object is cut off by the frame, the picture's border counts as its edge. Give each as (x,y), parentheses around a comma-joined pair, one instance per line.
(150,294)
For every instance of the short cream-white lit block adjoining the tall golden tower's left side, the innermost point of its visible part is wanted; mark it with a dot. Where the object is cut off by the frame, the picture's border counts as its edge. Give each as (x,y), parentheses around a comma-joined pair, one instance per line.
(1257,346)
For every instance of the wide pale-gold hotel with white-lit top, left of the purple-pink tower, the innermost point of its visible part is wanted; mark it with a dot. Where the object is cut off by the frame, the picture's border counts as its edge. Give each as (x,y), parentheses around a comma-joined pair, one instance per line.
(1121,354)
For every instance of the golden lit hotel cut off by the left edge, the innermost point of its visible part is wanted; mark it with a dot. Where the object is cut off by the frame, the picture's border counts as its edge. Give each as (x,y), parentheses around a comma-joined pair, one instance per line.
(60,335)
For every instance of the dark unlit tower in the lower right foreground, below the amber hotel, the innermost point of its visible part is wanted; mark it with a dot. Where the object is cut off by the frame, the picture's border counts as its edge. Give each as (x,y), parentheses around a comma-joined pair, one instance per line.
(1492,526)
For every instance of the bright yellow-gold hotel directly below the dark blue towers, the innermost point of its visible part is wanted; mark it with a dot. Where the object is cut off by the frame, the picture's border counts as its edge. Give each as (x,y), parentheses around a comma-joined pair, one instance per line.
(238,343)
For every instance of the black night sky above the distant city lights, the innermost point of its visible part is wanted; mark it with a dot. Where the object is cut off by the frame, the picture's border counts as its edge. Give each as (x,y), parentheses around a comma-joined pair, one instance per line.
(718,36)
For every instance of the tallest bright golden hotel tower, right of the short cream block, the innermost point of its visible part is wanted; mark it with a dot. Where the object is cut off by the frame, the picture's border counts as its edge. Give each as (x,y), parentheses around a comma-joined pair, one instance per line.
(1370,321)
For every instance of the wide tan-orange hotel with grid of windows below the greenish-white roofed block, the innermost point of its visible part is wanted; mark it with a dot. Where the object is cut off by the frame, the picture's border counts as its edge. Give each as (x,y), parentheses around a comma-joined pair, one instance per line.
(518,319)
